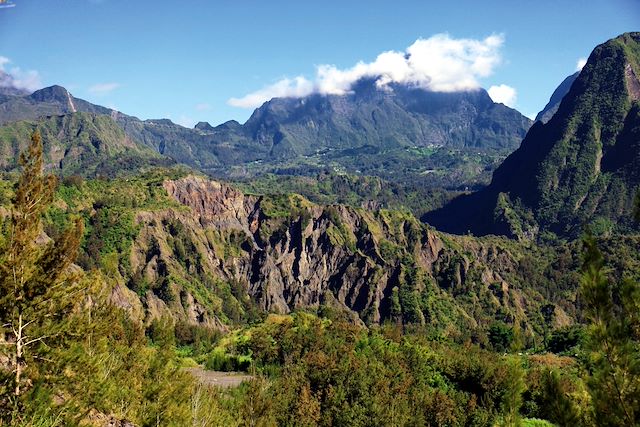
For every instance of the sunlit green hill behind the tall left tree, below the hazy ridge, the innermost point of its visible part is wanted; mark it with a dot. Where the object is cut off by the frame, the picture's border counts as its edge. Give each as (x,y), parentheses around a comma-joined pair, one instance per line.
(79,143)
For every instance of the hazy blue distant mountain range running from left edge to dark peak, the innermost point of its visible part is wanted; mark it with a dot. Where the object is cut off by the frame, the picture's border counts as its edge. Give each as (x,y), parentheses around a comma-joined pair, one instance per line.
(403,134)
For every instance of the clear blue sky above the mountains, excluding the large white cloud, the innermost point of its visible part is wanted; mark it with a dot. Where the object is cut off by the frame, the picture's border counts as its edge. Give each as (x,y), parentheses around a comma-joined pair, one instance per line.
(187,60)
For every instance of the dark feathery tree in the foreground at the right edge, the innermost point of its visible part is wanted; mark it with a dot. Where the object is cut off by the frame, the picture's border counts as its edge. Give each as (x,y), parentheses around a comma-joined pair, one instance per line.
(613,340)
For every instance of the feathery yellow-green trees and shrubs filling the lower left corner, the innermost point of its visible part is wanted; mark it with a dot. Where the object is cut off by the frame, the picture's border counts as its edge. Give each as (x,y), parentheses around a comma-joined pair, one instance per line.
(69,357)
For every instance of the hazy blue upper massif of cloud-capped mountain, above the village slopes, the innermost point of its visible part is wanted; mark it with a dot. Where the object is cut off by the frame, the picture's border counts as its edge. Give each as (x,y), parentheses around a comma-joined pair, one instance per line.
(400,116)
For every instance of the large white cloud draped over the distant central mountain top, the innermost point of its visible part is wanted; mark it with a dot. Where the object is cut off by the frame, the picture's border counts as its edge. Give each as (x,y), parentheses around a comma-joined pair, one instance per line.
(439,63)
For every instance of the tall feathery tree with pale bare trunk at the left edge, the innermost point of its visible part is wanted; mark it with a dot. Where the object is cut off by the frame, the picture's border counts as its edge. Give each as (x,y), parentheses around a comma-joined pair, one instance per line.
(37,284)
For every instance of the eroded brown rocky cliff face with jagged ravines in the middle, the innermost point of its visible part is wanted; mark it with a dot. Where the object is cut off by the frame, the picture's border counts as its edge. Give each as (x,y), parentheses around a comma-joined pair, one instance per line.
(284,253)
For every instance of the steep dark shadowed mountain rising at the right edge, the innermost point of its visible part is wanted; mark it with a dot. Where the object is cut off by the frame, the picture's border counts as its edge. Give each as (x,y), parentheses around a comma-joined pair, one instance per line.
(579,168)
